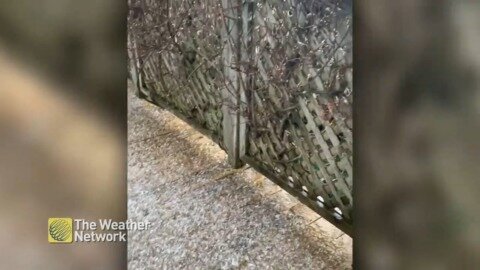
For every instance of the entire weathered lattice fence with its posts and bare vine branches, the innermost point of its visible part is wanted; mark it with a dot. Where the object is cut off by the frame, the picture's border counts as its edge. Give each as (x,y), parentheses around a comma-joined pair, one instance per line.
(269,81)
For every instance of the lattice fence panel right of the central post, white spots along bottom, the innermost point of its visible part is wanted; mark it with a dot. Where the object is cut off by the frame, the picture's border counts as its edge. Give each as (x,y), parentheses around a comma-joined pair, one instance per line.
(300,118)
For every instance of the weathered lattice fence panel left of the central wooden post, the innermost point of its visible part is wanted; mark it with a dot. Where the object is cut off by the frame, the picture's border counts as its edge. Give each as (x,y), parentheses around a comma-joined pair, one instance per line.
(180,50)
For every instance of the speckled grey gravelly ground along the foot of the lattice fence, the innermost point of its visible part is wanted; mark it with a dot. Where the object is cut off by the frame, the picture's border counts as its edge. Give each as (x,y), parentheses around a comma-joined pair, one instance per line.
(208,216)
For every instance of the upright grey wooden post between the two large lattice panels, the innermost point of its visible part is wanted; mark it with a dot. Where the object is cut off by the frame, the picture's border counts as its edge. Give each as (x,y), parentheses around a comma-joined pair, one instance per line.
(238,49)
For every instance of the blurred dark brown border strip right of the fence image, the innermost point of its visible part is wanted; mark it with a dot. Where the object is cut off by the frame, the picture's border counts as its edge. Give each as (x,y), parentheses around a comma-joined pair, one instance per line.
(416,130)
